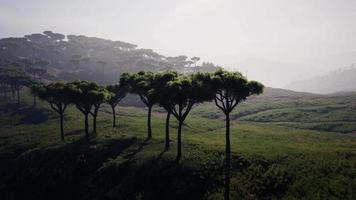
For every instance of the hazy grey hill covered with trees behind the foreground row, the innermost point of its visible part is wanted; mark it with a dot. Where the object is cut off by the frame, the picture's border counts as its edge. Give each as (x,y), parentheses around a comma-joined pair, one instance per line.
(89,58)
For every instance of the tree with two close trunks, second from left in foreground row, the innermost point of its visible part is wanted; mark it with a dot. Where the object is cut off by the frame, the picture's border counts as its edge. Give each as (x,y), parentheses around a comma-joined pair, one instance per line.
(87,97)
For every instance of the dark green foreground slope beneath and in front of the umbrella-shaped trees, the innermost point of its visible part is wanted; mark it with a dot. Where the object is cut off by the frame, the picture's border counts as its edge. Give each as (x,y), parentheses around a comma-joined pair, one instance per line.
(270,161)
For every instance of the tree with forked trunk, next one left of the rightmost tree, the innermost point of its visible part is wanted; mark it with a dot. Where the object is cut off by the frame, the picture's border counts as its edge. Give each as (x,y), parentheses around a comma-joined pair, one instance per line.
(183,92)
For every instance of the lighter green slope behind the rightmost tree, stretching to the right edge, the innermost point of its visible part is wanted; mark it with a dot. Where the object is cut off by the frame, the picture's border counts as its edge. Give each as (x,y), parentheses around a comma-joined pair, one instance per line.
(335,113)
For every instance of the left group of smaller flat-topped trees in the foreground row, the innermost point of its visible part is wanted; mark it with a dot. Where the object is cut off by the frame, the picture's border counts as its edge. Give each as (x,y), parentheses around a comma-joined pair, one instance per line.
(87,97)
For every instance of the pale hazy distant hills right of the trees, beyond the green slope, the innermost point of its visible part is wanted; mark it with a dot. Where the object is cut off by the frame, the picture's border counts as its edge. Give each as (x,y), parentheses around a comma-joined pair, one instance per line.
(283,74)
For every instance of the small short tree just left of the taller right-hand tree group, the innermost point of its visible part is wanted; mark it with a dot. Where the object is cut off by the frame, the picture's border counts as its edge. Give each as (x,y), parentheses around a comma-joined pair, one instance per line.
(117,93)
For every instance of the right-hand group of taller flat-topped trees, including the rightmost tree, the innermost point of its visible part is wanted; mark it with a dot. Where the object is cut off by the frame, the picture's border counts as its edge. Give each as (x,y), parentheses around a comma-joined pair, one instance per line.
(178,93)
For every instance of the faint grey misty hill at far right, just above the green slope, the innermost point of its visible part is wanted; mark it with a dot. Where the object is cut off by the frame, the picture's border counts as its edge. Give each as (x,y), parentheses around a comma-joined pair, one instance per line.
(341,80)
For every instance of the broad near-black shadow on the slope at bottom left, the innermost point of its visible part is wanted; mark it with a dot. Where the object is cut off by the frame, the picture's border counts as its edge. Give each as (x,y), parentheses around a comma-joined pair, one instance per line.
(60,171)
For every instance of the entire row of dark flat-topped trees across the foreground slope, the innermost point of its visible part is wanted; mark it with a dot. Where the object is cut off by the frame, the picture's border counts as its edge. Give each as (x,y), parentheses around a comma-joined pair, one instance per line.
(175,92)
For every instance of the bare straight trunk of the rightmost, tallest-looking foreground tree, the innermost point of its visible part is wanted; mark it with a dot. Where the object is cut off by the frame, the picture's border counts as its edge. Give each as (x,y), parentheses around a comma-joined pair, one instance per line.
(227,159)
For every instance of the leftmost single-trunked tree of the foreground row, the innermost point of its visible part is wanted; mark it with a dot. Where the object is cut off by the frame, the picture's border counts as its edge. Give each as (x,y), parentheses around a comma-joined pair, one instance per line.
(57,95)
